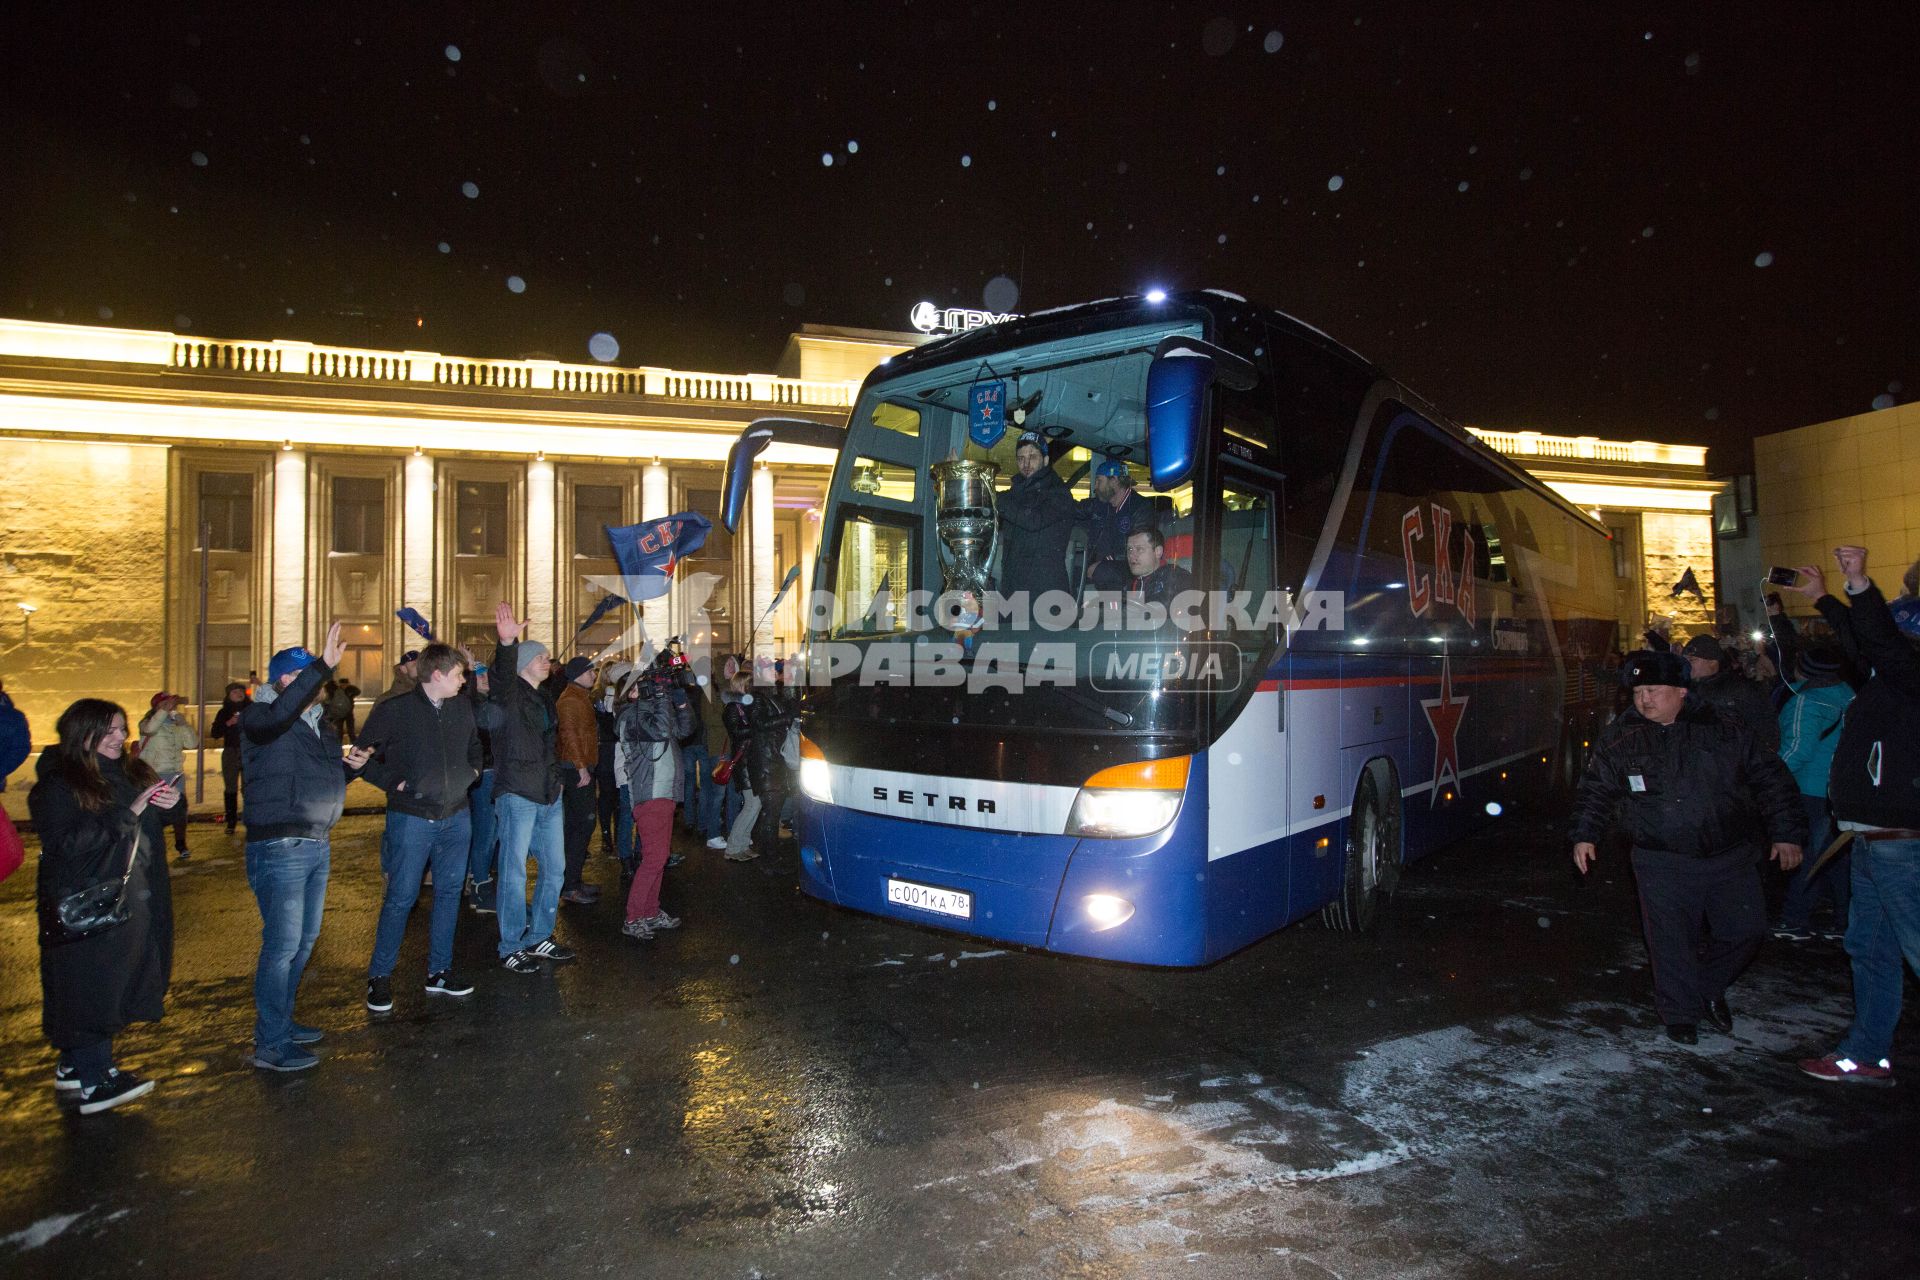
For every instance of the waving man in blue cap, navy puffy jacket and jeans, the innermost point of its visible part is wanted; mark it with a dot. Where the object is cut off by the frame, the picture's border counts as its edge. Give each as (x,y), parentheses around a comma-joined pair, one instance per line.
(295,794)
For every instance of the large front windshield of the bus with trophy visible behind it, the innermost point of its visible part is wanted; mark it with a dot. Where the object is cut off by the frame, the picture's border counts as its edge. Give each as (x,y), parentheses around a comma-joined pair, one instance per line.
(994,554)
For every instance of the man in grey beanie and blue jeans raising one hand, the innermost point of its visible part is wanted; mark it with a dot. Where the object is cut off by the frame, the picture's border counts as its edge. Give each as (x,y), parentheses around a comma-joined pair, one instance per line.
(527,795)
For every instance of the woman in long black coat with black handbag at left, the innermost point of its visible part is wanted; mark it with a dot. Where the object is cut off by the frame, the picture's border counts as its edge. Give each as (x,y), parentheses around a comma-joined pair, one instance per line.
(107,907)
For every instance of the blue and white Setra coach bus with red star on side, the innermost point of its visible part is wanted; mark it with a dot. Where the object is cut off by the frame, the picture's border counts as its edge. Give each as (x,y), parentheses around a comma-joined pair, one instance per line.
(1393,636)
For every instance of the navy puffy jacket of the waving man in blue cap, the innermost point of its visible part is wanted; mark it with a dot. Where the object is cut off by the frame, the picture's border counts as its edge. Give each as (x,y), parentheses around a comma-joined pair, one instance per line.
(293,772)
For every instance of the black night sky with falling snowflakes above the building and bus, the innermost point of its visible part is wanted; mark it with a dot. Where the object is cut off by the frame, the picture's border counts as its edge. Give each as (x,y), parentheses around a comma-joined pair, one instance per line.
(1575,218)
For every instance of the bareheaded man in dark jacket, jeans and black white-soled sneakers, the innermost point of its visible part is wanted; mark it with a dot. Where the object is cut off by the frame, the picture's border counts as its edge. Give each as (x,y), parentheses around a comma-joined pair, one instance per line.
(425,759)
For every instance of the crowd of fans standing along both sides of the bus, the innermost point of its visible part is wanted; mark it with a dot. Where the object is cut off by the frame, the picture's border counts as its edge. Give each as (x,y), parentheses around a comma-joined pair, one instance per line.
(1802,749)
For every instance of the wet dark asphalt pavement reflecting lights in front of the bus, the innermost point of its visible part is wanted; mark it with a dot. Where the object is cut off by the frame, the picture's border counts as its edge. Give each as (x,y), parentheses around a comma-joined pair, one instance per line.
(784,1089)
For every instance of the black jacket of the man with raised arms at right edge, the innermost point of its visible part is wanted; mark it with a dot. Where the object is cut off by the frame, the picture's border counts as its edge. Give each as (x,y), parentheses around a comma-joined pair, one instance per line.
(1877,765)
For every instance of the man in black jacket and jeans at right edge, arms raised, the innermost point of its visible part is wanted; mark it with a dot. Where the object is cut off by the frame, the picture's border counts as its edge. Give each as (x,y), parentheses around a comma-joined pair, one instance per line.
(1875,792)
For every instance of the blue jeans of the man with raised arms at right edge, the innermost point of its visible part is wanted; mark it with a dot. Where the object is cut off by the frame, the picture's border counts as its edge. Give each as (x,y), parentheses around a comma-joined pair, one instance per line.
(1884,926)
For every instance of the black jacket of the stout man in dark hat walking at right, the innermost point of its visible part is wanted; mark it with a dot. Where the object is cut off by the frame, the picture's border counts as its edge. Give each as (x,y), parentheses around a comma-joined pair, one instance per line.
(1700,786)
